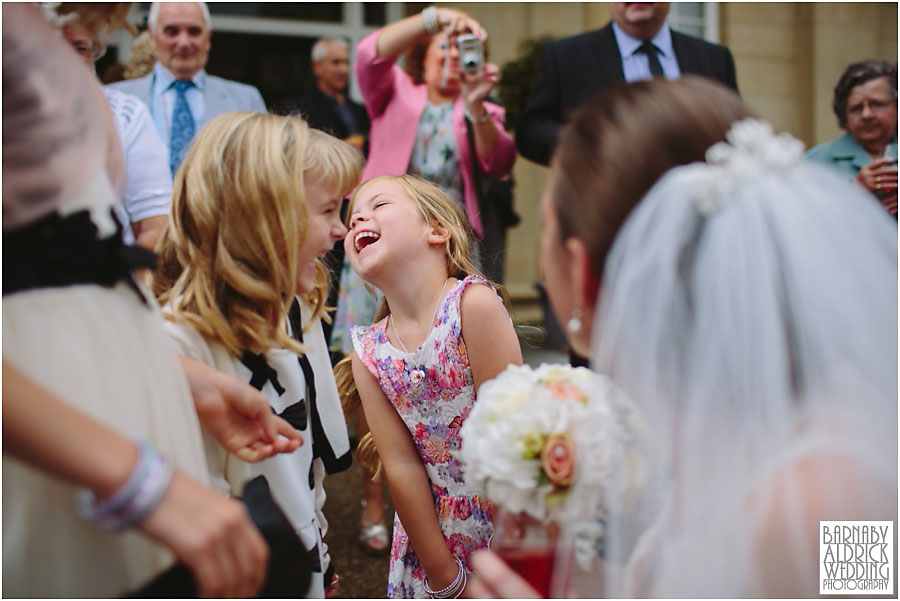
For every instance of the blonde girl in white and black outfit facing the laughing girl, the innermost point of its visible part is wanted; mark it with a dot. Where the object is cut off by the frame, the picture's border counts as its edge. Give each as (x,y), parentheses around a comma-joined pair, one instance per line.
(256,204)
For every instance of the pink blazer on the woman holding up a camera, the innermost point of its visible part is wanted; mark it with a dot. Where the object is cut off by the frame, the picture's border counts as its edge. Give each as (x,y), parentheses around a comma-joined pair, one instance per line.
(395,103)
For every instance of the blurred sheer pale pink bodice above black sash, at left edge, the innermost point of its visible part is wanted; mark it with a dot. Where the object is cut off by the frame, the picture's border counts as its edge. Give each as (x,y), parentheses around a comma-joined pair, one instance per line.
(55,138)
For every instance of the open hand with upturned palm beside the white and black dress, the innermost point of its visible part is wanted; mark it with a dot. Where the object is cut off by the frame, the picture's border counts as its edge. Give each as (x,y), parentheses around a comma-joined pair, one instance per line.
(238,415)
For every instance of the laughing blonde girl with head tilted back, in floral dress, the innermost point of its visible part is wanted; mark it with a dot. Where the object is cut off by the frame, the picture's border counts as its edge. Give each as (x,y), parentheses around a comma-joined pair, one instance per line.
(441,332)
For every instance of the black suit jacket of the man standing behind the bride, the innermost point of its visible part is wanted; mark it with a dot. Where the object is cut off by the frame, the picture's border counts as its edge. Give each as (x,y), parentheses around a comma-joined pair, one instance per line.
(574,70)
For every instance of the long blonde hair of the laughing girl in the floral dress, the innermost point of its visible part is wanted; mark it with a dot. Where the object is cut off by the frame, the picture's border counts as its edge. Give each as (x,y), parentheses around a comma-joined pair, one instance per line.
(436,207)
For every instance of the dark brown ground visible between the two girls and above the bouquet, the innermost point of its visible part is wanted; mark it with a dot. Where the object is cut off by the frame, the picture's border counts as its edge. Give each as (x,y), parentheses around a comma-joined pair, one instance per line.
(364,576)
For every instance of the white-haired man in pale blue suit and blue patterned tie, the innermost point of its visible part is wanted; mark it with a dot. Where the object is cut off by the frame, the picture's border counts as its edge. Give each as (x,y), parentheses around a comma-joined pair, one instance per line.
(181,96)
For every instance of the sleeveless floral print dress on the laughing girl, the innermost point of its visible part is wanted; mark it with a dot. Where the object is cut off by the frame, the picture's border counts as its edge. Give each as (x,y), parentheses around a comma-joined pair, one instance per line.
(433,391)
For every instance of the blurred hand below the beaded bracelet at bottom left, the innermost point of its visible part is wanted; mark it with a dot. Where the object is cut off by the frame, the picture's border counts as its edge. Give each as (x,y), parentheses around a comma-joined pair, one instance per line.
(213,535)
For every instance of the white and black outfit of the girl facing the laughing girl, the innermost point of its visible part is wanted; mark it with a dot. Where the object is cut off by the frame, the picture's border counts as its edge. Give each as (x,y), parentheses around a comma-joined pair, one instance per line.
(300,389)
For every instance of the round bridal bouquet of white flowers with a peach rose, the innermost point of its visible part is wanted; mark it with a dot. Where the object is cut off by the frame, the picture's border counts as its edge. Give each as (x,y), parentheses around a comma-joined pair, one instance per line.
(553,442)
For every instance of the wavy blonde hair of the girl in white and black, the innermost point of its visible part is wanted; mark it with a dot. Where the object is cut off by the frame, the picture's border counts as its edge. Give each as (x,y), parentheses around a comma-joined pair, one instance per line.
(238,218)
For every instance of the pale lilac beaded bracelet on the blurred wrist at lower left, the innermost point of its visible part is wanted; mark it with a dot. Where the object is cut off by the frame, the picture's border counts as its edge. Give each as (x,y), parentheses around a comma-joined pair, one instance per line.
(136,498)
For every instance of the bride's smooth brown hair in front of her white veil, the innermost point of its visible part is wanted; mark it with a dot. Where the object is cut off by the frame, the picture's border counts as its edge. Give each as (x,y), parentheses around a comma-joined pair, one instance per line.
(619,144)
